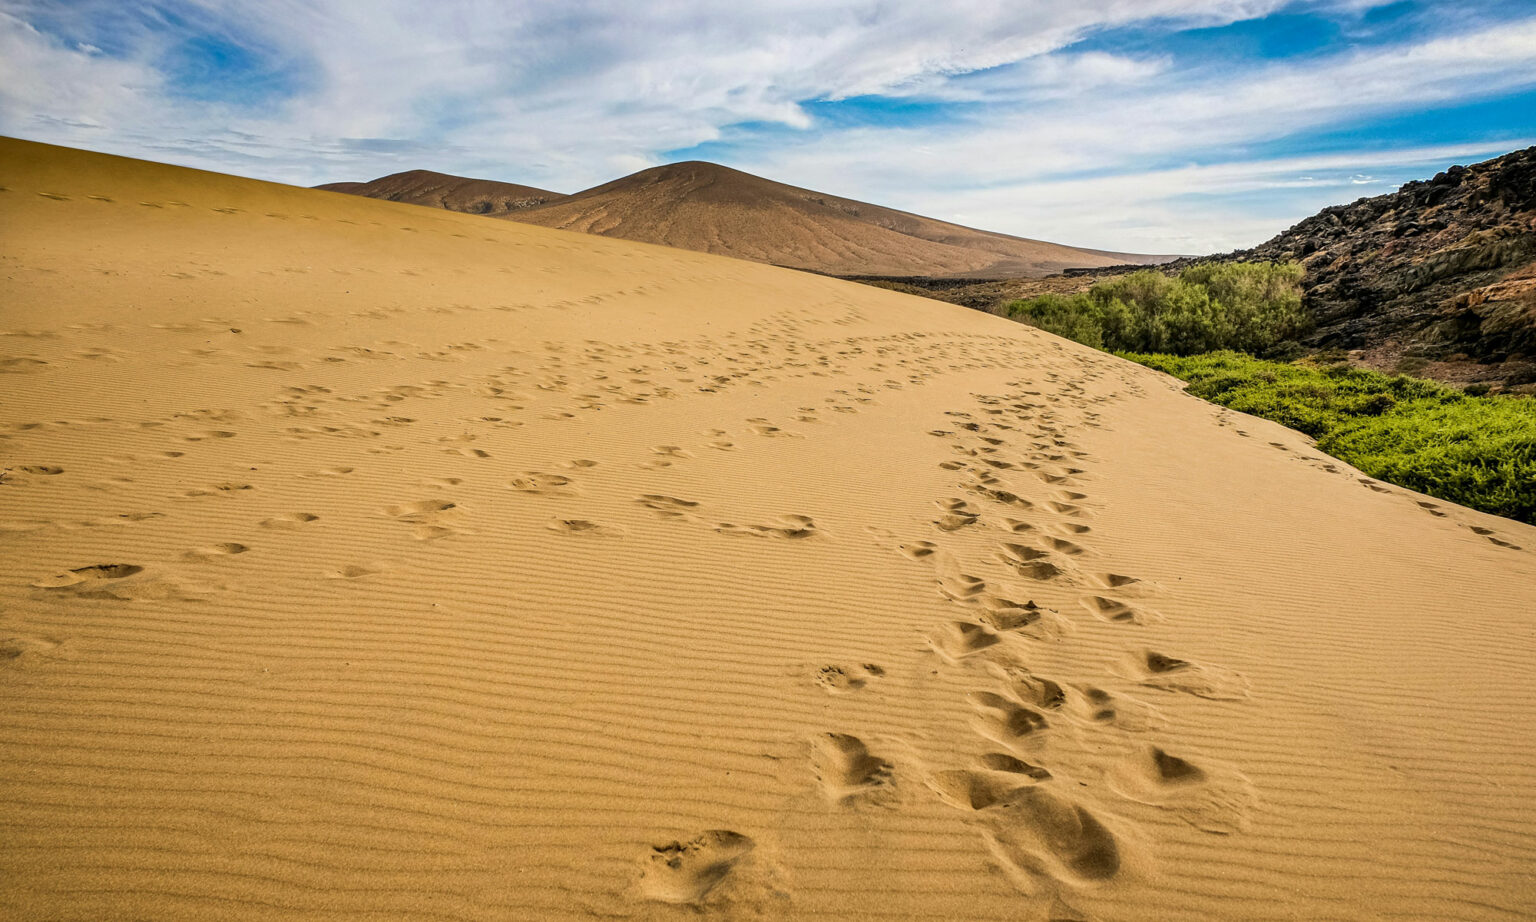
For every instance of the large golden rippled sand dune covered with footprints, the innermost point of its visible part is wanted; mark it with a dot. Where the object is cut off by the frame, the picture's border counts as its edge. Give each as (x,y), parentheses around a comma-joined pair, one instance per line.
(369,562)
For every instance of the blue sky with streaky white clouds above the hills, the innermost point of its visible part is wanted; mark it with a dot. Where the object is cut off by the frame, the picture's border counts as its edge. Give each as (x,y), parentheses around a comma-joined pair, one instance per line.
(1162,127)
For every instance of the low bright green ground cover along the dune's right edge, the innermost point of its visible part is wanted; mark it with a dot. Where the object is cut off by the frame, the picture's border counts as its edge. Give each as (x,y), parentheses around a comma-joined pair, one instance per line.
(1475,451)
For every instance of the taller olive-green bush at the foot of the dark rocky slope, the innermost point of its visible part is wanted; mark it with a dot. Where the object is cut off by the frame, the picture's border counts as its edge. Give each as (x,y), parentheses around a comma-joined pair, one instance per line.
(1250,307)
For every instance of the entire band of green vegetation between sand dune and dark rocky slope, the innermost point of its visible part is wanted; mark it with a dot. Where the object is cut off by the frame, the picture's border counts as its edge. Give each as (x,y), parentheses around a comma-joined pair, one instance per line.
(1208,323)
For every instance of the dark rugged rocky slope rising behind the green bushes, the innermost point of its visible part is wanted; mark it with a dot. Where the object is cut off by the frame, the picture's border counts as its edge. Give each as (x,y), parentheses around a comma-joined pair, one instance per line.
(1437,279)
